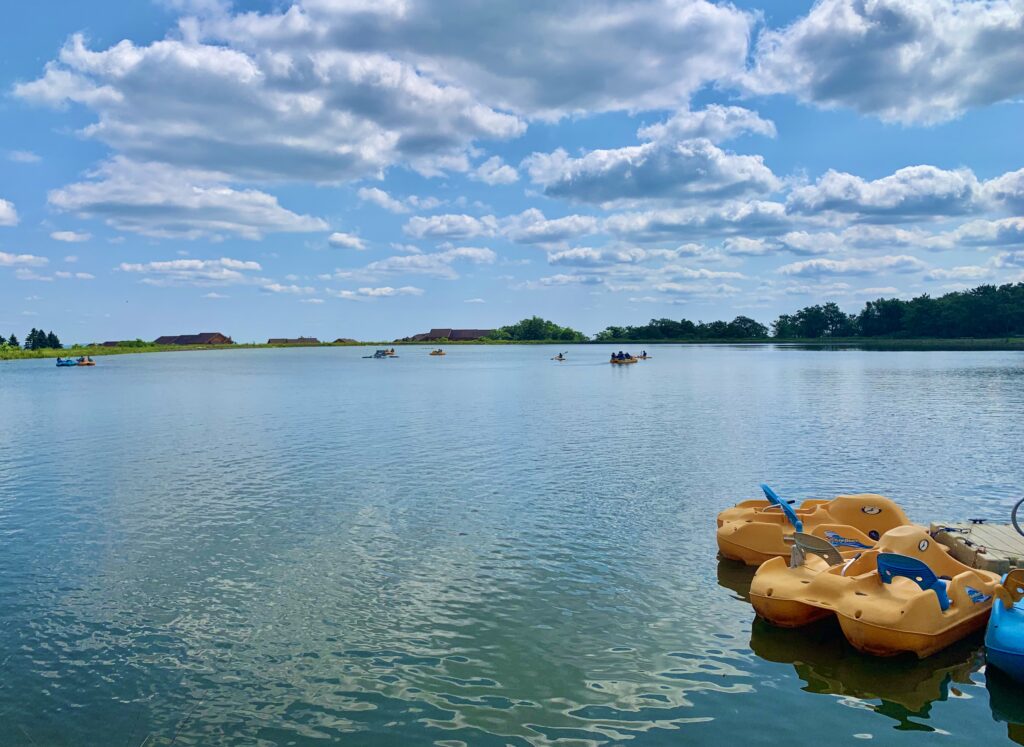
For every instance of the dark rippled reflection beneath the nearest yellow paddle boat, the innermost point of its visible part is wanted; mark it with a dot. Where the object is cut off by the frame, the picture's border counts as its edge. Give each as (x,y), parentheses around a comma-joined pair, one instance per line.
(829,666)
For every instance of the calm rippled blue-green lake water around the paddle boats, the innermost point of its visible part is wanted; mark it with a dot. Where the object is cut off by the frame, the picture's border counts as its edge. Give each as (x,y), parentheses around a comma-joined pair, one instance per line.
(264,548)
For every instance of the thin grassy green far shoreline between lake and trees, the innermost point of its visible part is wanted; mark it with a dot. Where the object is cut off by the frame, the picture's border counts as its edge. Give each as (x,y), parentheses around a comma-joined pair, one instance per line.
(922,345)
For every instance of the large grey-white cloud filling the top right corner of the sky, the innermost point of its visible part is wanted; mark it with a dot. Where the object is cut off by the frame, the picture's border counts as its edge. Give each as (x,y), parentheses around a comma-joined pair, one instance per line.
(904,61)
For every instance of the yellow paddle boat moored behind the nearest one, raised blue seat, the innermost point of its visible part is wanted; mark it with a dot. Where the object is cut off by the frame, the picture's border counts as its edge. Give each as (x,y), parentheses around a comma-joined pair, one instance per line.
(758,530)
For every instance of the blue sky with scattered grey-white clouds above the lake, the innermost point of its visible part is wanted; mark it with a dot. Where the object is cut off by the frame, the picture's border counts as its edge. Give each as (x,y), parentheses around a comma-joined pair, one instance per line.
(376,169)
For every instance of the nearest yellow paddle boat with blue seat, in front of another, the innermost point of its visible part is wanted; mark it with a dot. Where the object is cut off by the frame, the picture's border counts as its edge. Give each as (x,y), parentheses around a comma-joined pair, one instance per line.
(908,596)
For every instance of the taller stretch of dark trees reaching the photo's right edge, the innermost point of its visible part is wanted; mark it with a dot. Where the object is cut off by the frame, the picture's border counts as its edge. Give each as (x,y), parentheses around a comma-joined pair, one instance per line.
(988,311)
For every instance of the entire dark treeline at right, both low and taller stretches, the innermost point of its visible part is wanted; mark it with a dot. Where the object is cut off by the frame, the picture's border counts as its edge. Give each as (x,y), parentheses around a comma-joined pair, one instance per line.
(988,311)
